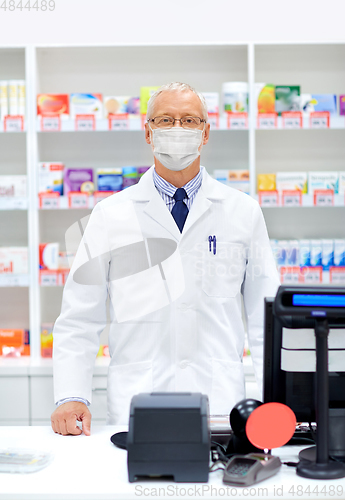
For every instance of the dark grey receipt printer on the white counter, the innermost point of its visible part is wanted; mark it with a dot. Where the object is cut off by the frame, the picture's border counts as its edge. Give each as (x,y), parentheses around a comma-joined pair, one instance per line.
(169,435)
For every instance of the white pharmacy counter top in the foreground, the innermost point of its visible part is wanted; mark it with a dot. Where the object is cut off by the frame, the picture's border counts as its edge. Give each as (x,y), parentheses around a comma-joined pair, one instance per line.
(92,468)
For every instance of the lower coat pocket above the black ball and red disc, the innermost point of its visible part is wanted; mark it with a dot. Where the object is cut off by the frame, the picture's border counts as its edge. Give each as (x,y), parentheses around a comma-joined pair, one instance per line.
(228,386)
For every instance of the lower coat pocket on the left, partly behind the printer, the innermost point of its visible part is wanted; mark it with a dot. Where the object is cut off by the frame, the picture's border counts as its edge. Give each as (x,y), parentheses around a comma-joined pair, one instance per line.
(124,381)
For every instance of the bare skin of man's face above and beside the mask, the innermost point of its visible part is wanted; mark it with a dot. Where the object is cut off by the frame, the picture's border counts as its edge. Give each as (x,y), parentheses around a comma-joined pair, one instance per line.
(177,104)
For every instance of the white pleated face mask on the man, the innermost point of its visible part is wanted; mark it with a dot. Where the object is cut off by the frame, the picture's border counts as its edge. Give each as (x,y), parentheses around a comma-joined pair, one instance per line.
(176,148)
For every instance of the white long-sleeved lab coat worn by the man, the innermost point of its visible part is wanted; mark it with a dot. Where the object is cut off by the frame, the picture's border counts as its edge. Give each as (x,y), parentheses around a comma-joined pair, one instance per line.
(176,324)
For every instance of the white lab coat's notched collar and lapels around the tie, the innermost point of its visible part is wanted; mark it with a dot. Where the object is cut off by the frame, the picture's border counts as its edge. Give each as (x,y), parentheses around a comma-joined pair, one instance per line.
(156,208)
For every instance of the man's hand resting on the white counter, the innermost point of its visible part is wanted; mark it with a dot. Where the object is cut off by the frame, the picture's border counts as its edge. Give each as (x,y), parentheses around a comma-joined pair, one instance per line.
(64,418)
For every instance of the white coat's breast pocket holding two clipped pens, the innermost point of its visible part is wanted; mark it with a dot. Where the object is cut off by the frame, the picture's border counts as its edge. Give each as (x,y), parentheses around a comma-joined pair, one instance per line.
(223,269)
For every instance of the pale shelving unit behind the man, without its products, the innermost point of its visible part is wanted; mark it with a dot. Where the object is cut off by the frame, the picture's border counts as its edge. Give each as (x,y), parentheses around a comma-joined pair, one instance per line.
(122,71)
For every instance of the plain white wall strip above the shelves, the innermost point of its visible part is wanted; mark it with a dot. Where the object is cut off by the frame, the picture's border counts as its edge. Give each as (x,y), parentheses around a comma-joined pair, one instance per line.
(174,21)
